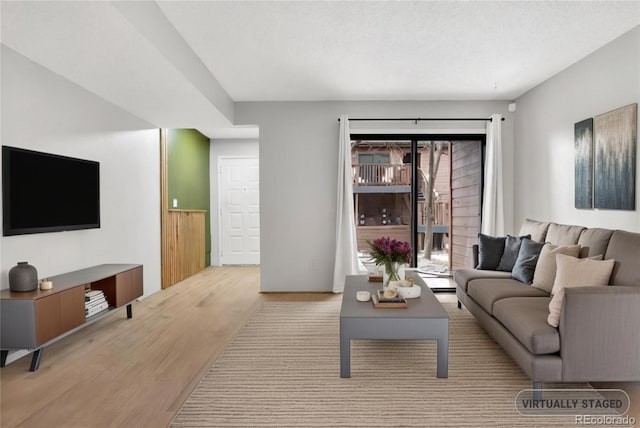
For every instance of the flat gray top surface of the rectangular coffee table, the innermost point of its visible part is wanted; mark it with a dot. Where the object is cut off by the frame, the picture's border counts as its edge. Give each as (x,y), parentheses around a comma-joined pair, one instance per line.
(425,306)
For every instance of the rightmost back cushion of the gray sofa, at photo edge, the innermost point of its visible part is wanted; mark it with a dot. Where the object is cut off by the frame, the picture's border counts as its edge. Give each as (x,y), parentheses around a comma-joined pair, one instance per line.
(624,247)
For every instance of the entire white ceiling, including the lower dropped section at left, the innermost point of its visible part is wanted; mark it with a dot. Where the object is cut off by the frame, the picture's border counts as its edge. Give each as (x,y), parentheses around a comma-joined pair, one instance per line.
(184,63)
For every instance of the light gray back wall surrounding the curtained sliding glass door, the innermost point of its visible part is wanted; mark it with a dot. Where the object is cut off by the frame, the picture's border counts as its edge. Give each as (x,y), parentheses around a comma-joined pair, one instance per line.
(298,179)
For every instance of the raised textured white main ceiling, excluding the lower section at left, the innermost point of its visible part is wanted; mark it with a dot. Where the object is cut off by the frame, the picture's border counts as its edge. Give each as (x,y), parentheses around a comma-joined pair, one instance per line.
(390,50)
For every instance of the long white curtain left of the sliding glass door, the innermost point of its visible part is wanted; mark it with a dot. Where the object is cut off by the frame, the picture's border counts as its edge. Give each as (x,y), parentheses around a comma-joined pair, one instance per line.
(346,262)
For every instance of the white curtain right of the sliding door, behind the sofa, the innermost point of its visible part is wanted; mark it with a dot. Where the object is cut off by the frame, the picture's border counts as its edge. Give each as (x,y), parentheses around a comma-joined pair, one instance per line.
(492,204)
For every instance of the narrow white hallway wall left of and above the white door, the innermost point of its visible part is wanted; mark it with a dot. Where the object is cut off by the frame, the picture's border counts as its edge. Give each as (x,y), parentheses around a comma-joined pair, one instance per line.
(242,148)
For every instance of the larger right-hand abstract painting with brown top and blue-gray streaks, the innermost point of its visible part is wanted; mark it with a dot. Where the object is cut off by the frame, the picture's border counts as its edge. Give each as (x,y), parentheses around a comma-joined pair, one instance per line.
(614,168)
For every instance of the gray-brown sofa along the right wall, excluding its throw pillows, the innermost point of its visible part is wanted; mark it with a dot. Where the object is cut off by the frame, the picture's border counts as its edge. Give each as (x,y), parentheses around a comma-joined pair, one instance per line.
(598,337)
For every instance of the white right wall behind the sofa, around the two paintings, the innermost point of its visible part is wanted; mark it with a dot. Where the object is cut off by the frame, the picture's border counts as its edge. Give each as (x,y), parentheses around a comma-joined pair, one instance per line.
(544,134)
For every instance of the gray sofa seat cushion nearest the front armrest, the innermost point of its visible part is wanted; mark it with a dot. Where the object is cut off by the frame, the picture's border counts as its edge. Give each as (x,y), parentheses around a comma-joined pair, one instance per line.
(526,319)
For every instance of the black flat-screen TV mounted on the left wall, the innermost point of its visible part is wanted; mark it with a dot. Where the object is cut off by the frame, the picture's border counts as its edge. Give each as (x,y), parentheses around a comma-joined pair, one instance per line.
(43,192)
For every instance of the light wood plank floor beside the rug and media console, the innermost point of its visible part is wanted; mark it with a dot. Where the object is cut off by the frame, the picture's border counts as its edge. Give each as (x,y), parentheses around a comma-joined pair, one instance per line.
(138,372)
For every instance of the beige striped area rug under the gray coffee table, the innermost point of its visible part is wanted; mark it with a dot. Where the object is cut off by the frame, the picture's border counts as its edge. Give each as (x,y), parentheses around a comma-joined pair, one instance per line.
(283,369)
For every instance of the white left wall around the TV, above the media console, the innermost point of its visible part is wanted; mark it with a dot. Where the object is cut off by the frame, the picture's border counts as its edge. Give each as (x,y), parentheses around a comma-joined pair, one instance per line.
(44,112)
